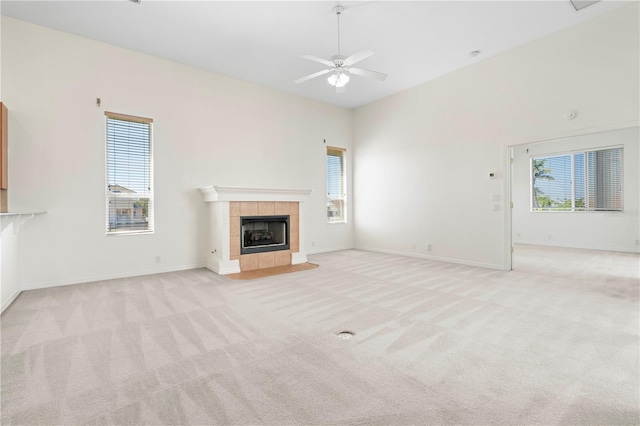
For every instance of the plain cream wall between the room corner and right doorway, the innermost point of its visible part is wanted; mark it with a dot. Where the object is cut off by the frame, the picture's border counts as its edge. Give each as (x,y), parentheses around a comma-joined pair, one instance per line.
(423,156)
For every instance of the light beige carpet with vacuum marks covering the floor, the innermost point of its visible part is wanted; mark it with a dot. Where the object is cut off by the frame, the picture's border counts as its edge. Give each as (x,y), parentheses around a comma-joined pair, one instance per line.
(435,343)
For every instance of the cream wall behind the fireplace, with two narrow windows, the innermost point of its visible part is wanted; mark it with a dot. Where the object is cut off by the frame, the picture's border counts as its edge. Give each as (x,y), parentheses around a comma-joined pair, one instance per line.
(208,129)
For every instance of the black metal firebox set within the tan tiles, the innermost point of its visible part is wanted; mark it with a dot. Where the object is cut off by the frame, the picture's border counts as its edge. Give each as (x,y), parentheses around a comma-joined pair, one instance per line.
(263,233)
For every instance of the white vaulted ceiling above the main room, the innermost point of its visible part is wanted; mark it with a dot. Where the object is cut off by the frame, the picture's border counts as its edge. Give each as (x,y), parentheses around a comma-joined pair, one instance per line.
(261,41)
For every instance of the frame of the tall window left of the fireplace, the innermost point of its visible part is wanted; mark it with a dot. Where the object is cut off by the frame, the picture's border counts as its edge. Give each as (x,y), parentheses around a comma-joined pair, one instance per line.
(148,178)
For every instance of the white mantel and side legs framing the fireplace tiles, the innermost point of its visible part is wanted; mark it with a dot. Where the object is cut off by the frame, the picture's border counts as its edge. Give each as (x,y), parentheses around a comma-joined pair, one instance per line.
(219,197)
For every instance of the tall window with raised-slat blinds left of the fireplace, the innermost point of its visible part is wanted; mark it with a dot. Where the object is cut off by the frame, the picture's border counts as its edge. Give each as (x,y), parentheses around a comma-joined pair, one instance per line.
(129,168)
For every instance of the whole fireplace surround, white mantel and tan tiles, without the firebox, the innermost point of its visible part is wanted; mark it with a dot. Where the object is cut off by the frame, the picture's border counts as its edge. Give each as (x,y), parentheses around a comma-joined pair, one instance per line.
(225,207)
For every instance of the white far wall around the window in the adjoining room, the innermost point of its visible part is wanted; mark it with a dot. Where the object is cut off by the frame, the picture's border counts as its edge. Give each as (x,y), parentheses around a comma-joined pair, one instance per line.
(597,230)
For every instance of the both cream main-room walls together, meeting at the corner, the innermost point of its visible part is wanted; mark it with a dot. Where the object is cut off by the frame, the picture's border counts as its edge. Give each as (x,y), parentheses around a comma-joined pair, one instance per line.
(421,158)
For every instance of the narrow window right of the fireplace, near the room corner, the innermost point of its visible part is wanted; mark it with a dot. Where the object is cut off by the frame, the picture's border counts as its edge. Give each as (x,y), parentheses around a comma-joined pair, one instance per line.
(336,185)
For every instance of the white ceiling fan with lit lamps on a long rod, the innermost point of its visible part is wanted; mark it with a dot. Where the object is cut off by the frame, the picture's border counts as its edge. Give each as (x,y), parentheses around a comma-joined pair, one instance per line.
(340,66)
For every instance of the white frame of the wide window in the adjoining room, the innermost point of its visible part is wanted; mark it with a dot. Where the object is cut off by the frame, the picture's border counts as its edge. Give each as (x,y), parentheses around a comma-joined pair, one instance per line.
(572,154)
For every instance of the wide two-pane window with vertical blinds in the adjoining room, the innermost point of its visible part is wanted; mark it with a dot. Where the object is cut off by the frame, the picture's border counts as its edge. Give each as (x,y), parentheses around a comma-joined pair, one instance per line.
(579,181)
